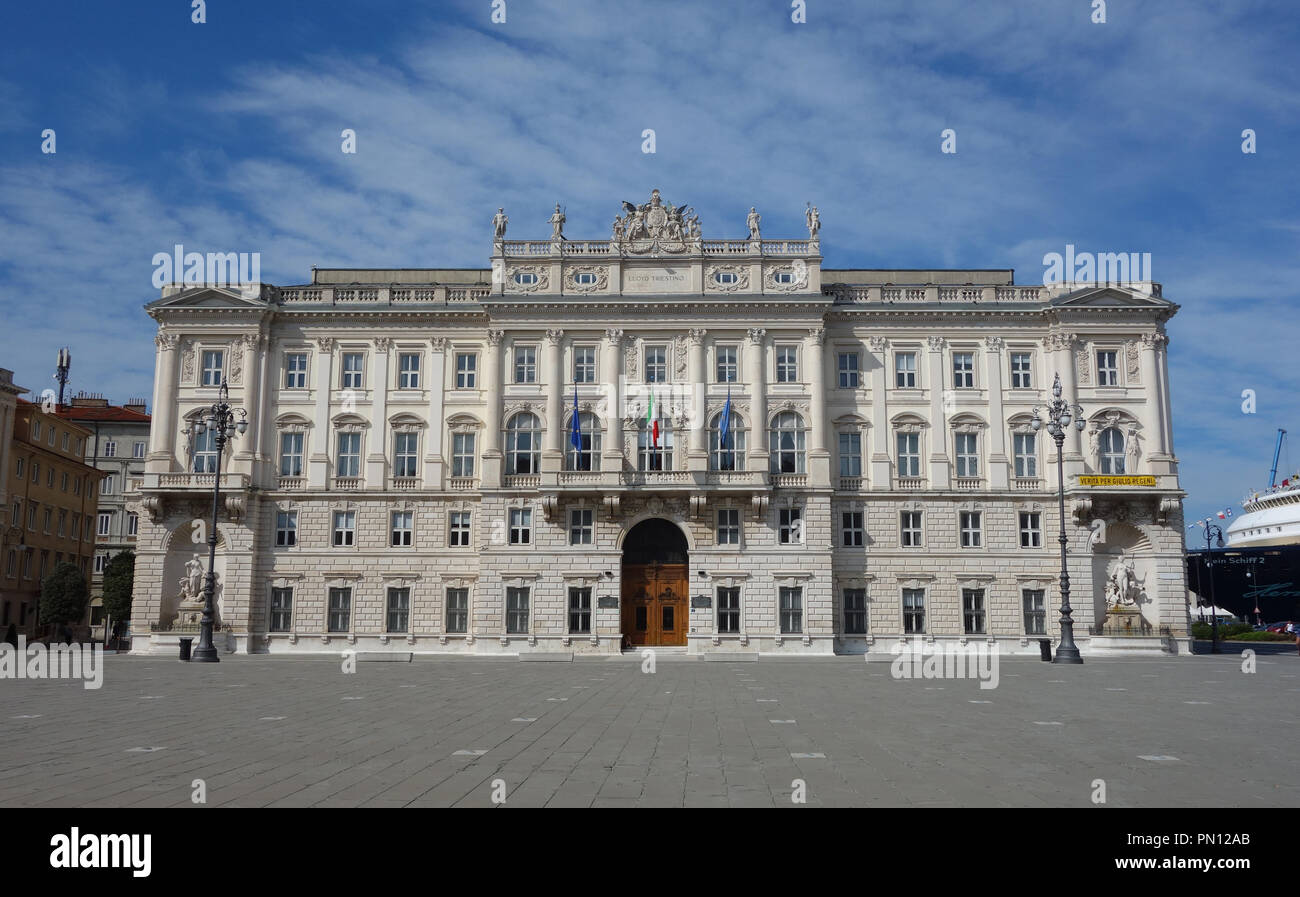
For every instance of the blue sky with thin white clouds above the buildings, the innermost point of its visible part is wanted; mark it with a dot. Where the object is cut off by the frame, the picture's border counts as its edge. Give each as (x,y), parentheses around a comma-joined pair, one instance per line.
(226,136)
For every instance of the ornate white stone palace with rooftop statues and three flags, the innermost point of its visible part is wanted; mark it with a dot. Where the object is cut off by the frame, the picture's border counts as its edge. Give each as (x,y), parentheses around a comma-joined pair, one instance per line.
(768,456)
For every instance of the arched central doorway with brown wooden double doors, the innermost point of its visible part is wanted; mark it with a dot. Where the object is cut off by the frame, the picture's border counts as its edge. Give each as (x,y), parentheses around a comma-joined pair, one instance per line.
(656,582)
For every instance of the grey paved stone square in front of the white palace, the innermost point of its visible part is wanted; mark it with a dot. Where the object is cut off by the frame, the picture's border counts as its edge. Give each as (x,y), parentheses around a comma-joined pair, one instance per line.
(300,733)
